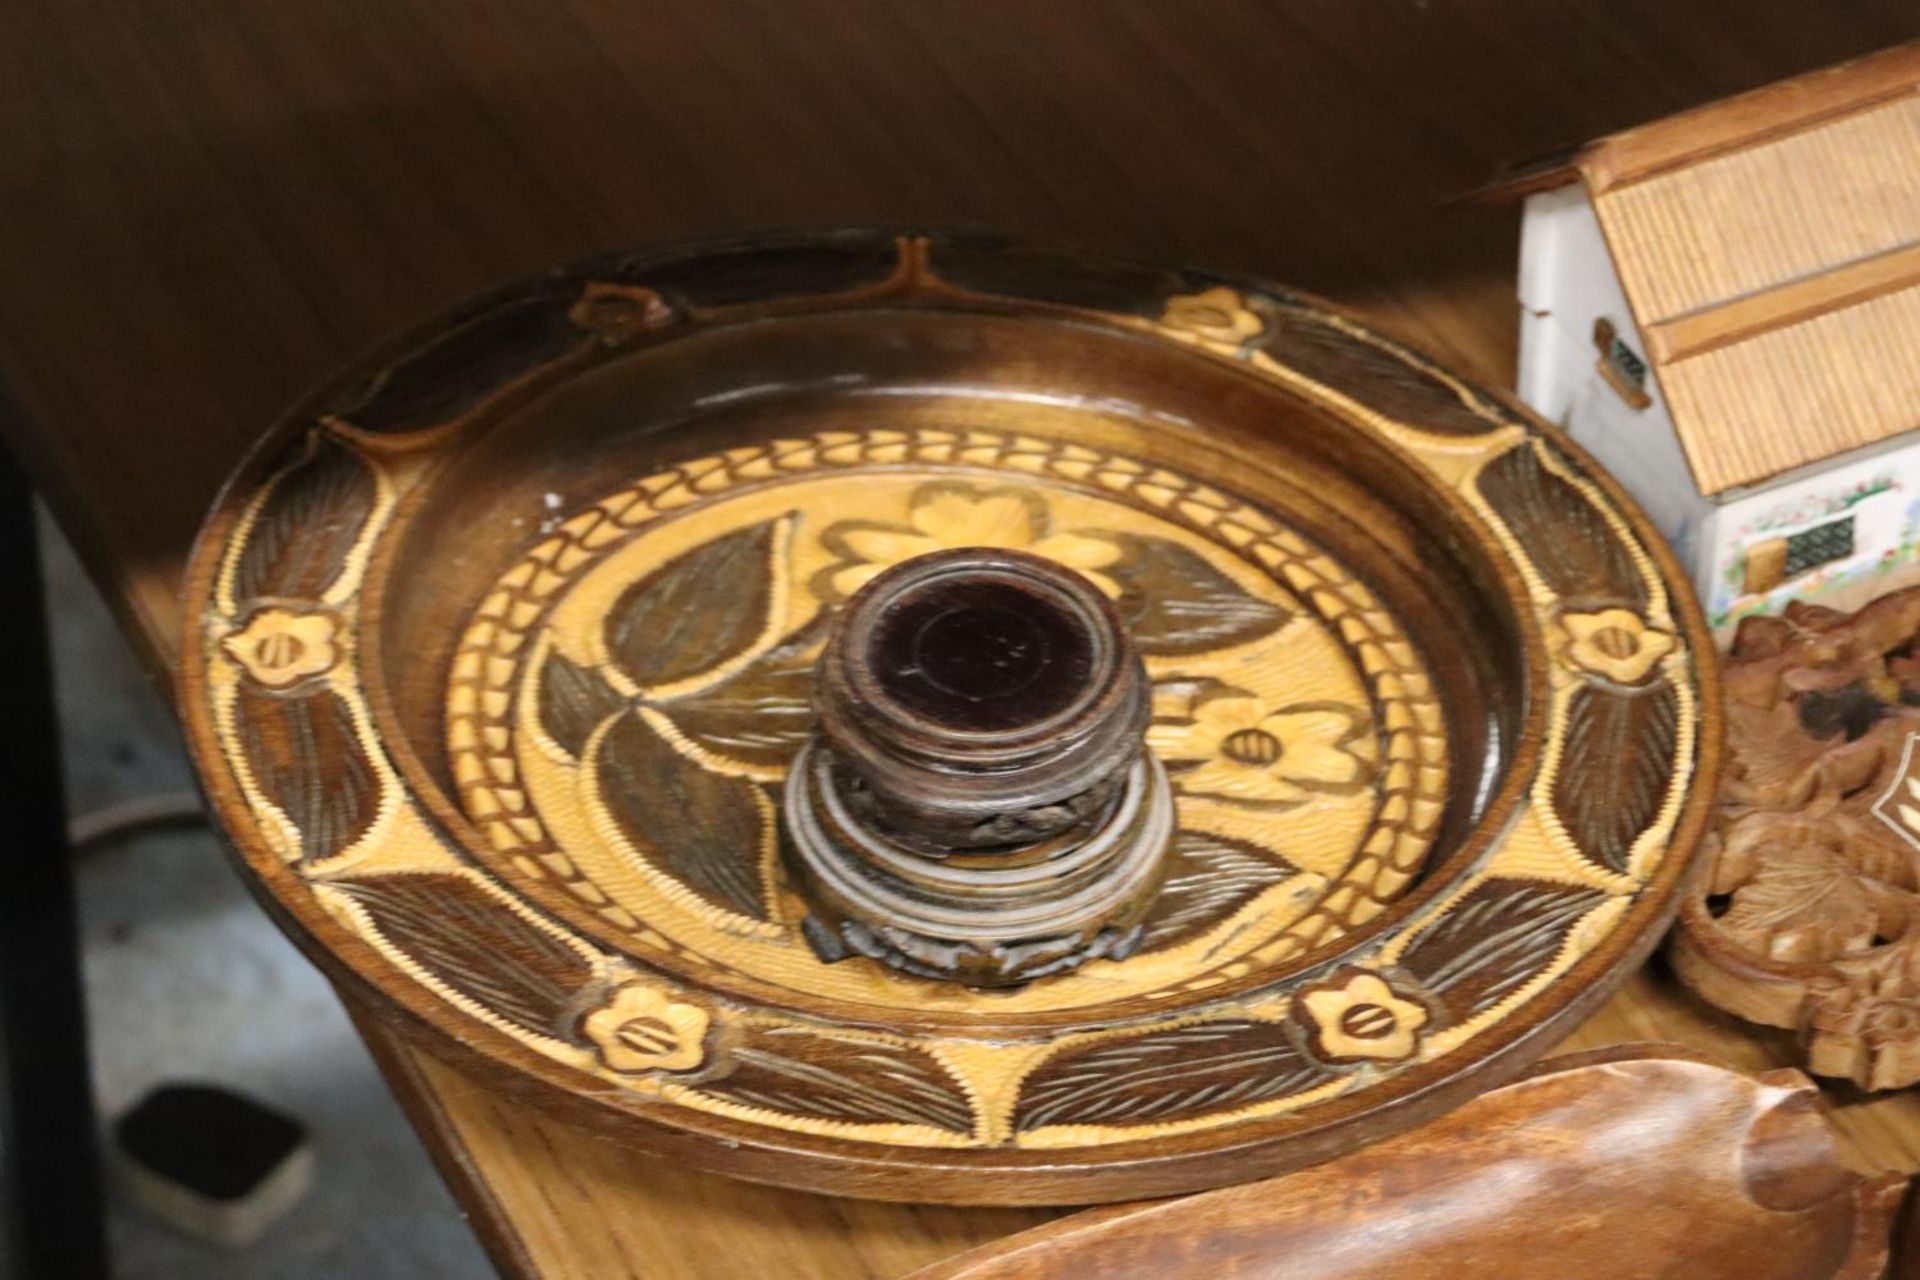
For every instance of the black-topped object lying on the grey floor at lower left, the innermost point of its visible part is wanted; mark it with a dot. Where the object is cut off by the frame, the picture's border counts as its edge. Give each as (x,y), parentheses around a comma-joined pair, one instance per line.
(214,1164)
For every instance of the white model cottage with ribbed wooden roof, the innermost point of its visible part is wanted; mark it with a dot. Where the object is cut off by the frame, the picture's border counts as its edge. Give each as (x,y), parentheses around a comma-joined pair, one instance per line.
(1725,308)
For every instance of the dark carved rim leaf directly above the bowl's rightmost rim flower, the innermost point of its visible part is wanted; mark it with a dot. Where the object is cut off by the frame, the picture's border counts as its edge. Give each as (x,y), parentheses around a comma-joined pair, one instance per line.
(1562,533)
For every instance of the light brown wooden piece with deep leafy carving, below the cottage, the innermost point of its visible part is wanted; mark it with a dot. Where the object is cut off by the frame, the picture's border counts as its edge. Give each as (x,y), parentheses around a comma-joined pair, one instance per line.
(1808,914)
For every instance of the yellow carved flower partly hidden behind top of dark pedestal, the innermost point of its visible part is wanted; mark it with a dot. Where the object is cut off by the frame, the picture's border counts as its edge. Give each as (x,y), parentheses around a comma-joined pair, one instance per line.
(959,515)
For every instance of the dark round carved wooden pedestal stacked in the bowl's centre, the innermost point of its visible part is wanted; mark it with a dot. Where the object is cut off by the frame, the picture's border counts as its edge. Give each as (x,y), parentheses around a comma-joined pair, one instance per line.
(980,805)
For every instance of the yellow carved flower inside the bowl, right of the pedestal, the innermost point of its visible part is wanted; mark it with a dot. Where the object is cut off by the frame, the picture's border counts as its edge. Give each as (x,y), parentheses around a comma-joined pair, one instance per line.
(1241,747)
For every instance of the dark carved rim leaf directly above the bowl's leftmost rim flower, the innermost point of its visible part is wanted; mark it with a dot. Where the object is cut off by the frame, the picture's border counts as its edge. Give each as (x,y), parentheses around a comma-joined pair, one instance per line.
(308,525)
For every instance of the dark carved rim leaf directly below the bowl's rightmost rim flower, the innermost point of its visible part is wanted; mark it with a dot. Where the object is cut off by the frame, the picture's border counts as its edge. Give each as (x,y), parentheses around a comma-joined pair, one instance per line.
(1616,769)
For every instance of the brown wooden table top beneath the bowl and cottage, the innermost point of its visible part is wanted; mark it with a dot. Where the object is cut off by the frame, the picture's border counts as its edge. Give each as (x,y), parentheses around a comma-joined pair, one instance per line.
(206,204)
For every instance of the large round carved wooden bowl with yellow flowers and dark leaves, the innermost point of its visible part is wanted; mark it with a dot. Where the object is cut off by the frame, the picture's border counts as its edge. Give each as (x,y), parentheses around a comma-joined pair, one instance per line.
(504,642)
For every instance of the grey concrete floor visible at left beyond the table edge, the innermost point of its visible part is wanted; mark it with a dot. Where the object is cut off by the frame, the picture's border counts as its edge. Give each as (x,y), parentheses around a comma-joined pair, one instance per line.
(189,982)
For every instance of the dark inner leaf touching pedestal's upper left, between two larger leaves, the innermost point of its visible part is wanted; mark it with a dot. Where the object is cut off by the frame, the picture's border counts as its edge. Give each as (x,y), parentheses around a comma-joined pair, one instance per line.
(763,713)
